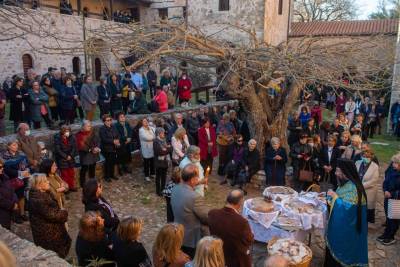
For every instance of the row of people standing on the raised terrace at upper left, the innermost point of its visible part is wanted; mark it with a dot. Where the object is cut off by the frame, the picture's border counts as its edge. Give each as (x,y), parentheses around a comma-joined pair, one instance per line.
(58,97)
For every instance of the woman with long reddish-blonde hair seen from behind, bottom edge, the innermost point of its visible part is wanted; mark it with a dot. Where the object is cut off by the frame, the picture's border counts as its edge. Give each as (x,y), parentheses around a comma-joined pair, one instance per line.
(167,248)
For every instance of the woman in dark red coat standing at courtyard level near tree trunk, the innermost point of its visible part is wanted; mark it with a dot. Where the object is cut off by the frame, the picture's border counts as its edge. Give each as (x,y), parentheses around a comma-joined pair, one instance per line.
(207,143)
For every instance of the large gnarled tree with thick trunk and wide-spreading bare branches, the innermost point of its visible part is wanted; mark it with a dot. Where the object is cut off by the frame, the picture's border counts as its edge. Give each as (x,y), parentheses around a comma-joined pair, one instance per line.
(245,72)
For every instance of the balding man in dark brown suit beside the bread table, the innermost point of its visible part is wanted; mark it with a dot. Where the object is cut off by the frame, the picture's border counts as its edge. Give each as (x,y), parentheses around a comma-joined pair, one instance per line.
(233,229)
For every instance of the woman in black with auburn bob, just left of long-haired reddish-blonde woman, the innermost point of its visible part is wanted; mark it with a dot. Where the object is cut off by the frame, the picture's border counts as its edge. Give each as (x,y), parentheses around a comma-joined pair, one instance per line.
(128,251)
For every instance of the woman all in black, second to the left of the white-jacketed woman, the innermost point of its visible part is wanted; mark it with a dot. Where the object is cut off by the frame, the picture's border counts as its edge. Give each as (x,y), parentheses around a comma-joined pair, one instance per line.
(109,140)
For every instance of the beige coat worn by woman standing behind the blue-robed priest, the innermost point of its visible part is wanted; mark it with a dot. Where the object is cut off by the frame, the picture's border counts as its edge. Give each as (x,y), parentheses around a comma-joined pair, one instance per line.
(371,181)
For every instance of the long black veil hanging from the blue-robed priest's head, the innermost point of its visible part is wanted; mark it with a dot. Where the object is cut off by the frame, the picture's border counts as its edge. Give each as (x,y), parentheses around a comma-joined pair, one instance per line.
(350,171)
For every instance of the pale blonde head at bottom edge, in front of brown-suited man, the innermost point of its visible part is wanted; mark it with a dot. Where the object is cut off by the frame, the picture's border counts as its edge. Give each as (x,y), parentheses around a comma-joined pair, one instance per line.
(209,253)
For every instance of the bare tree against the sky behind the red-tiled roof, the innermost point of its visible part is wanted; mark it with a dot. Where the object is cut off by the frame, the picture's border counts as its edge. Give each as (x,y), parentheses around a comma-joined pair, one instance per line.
(324,10)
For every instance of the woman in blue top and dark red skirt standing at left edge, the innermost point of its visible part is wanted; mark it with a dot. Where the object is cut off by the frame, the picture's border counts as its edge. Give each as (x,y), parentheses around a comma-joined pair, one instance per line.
(16,167)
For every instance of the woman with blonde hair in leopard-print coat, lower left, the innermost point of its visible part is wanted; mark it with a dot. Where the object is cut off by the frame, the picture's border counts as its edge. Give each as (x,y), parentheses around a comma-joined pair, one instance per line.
(46,218)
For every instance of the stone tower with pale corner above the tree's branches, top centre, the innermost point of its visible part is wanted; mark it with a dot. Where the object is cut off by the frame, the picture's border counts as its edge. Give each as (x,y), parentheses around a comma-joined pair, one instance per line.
(268,19)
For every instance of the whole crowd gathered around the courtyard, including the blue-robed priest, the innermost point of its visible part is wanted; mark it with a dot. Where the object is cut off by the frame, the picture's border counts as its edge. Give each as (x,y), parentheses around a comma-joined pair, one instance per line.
(335,156)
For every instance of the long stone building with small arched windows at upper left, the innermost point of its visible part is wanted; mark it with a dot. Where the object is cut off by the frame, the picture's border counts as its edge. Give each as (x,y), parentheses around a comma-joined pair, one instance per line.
(72,24)
